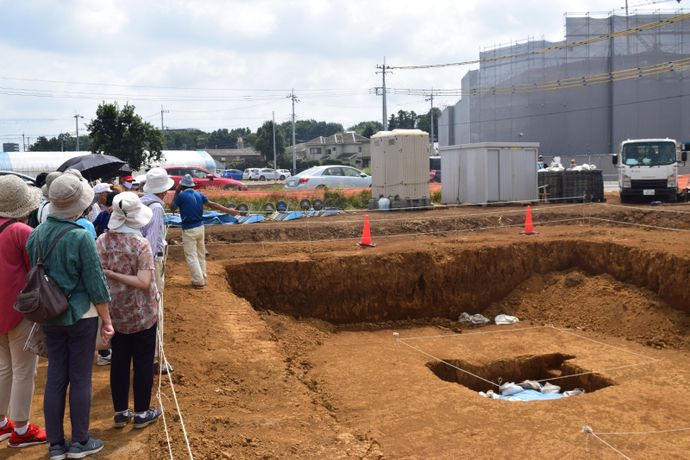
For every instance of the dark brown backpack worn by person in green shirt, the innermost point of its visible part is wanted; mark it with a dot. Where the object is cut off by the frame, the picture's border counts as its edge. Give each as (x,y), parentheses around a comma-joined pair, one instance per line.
(42,300)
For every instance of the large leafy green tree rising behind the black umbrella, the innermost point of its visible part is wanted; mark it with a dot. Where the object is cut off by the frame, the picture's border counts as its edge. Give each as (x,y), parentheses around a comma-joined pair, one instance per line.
(125,135)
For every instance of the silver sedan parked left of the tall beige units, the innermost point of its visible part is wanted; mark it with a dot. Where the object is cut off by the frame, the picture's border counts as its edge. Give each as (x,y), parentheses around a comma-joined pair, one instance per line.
(328,176)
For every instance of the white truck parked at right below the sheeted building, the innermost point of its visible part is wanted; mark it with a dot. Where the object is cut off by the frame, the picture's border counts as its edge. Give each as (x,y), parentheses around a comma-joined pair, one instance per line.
(649,168)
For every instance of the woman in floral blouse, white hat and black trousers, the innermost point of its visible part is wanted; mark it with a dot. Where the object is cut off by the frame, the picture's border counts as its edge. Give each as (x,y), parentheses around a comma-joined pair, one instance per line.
(128,265)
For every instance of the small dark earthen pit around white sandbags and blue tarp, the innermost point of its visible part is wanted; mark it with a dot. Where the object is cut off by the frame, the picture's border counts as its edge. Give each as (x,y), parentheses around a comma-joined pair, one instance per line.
(552,367)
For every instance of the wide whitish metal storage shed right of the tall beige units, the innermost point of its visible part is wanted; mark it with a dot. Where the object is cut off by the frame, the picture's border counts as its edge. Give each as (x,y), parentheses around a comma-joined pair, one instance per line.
(489,172)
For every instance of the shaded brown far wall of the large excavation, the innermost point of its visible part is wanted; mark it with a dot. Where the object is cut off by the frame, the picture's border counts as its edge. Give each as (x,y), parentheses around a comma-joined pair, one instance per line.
(434,283)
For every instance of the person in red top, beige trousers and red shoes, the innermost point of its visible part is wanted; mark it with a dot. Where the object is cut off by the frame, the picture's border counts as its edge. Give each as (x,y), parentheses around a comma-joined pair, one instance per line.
(17,367)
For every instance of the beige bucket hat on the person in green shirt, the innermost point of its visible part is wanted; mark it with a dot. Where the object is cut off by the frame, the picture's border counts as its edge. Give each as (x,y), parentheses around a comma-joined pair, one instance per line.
(70,196)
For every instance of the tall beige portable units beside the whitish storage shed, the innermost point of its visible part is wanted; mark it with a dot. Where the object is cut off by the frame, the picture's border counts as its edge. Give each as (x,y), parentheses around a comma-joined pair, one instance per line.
(400,167)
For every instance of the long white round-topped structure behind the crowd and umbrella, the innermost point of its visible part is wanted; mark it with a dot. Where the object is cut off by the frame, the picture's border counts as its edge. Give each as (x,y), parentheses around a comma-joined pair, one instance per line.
(34,163)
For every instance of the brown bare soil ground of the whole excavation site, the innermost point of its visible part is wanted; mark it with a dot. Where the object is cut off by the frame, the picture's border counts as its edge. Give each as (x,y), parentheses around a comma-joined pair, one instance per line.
(290,353)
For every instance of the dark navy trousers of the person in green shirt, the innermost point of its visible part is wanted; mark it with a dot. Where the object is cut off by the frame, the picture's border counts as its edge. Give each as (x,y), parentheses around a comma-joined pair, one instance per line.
(70,362)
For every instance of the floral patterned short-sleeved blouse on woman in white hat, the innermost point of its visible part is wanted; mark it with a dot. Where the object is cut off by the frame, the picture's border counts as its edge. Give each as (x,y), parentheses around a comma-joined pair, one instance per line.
(131,309)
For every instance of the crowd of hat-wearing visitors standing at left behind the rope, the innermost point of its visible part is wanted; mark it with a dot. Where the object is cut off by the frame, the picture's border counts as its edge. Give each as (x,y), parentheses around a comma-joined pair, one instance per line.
(115,279)
